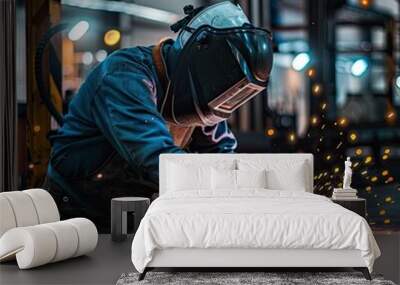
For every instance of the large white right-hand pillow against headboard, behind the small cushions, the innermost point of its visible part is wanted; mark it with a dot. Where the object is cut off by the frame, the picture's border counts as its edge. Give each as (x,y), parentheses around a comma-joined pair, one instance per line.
(280,175)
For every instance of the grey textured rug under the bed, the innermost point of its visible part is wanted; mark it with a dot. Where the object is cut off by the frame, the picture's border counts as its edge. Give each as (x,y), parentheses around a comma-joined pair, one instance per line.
(243,278)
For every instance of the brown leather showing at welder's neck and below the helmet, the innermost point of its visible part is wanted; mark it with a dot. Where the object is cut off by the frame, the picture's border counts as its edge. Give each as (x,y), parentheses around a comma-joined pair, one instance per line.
(180,135)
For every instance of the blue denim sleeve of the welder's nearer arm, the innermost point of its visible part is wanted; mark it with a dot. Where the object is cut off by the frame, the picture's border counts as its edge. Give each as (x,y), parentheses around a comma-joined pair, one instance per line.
(124,109)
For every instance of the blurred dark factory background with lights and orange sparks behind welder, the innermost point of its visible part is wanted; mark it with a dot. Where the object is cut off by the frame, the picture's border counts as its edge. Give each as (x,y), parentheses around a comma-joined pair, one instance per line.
(334,90)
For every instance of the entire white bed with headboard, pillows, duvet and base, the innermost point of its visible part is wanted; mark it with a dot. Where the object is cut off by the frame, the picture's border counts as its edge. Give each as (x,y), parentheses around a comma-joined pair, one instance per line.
(248,227)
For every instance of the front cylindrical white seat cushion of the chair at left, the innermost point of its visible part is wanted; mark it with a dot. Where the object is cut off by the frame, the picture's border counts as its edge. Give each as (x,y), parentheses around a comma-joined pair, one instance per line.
(40,244)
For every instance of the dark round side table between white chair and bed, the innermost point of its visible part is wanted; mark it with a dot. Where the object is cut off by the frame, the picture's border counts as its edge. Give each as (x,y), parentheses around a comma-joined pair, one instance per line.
(119,209)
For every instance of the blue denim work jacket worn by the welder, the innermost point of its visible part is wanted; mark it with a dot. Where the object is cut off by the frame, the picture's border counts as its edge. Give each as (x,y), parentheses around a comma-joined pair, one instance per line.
(115,110)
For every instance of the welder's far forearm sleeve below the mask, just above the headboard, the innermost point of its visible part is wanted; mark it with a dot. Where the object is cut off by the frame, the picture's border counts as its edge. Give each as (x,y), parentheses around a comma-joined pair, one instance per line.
(213,139)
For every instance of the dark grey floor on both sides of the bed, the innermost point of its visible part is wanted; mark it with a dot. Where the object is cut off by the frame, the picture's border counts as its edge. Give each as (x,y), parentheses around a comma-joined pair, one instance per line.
(110,260)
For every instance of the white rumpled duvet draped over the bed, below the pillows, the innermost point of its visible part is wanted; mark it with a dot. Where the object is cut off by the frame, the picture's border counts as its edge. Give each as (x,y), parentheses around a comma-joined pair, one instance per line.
(251,218)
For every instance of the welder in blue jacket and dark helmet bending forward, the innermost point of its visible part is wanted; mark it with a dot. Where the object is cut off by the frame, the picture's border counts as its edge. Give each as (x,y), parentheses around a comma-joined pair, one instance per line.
(140,102)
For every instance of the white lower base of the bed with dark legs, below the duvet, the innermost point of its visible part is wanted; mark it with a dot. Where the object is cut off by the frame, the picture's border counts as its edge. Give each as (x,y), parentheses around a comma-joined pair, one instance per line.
(233,259)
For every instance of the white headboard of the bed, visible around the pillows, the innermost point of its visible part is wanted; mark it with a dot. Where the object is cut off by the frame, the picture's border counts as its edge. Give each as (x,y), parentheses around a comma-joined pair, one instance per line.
(211,157)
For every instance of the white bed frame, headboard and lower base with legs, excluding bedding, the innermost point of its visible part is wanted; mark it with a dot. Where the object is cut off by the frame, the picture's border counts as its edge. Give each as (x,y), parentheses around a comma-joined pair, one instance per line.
(249,259)
